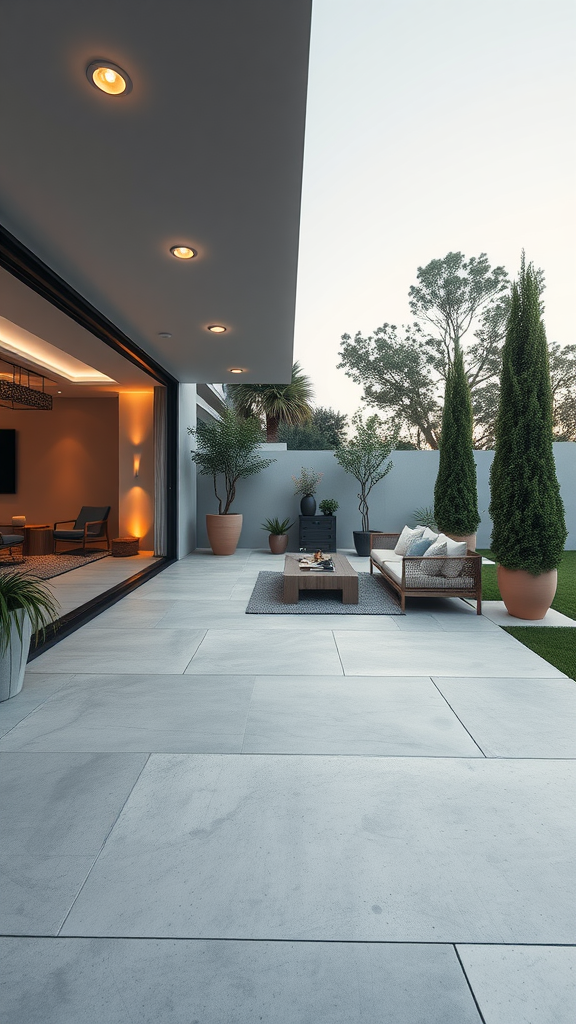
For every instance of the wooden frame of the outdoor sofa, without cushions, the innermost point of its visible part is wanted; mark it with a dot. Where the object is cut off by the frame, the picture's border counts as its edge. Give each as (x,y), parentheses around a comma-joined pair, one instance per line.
(412,567)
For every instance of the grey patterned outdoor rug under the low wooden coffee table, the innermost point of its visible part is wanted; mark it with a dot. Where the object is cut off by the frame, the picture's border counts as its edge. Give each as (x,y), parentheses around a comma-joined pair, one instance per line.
(374,600)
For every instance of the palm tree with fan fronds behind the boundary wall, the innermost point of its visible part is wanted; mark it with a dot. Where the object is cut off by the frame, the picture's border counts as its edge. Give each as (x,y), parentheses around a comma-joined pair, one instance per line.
(278,403)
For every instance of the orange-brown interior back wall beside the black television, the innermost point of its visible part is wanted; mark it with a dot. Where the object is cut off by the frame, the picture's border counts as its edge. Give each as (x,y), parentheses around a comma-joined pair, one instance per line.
(66,458)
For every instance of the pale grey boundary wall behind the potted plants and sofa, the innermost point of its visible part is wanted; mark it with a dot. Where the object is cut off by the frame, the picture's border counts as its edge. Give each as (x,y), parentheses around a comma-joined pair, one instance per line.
(393,501)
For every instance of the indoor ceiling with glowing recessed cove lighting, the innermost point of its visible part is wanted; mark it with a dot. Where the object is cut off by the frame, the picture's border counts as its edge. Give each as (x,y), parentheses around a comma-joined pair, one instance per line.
(26,316)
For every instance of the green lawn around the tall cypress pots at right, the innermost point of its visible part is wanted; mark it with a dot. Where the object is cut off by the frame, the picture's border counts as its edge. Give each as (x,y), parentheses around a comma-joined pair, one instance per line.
(556,645)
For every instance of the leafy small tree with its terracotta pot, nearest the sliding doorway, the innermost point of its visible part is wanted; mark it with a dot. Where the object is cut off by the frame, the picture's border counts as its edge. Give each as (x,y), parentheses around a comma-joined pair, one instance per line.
(227,452)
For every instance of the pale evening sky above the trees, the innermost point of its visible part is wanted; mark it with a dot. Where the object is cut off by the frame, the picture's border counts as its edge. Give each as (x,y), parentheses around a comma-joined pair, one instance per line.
(433,126)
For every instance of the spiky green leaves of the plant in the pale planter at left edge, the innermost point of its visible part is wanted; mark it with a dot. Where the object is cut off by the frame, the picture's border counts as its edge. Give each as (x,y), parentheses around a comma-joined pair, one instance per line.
(22,592)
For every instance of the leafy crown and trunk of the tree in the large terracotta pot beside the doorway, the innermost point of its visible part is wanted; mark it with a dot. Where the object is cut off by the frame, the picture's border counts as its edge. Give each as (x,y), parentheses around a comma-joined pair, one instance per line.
(227,448)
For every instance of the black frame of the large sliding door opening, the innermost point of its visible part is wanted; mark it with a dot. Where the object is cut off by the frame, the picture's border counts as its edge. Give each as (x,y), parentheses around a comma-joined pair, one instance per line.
(24,265)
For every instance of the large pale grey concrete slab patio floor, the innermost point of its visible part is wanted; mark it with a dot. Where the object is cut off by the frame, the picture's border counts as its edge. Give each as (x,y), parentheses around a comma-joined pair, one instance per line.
(218,818)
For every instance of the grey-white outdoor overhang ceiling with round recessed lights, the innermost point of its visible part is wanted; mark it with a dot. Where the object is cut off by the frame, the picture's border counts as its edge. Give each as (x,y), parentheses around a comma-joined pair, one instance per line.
(205,151)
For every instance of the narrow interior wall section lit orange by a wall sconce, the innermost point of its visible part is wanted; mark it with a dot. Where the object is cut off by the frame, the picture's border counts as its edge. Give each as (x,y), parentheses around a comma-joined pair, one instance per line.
(136,446)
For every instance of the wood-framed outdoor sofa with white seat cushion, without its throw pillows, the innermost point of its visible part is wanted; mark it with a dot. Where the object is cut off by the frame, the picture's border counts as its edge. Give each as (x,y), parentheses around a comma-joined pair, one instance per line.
(460,576)
